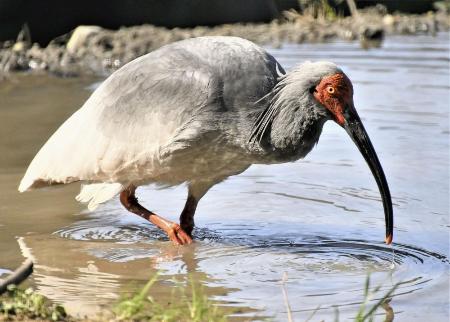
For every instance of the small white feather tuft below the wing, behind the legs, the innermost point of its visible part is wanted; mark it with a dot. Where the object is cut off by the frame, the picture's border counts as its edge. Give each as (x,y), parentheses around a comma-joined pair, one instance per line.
(97,193)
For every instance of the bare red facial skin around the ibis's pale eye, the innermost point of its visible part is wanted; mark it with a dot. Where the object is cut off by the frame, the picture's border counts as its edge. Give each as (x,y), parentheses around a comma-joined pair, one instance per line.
(335,92)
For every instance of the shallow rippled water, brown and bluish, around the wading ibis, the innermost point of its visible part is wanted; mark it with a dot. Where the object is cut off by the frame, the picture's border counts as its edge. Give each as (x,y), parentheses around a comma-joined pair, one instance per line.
(320,219)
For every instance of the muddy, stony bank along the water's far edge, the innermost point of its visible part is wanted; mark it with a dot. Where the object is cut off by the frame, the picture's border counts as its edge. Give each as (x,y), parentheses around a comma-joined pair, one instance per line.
(94,50)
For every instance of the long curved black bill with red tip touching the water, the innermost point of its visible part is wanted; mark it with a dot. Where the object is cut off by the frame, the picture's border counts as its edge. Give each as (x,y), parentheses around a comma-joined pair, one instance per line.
(355,129)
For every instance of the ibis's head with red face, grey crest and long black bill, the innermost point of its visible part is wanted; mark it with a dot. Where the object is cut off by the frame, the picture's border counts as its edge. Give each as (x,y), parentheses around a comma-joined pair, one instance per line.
(332,93)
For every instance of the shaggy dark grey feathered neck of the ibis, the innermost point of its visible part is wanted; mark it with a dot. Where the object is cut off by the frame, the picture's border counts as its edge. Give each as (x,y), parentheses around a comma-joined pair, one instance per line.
(288,128)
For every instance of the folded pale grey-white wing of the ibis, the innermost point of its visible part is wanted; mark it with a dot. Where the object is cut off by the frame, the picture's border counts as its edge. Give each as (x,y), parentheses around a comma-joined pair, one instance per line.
(148,106)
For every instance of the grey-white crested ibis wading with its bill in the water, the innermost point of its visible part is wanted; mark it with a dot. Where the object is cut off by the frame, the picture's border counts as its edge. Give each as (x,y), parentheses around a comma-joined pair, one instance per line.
(196,112)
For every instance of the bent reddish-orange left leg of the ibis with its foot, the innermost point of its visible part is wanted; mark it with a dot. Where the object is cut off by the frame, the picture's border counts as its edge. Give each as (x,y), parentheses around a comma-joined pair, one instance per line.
(173,230)
